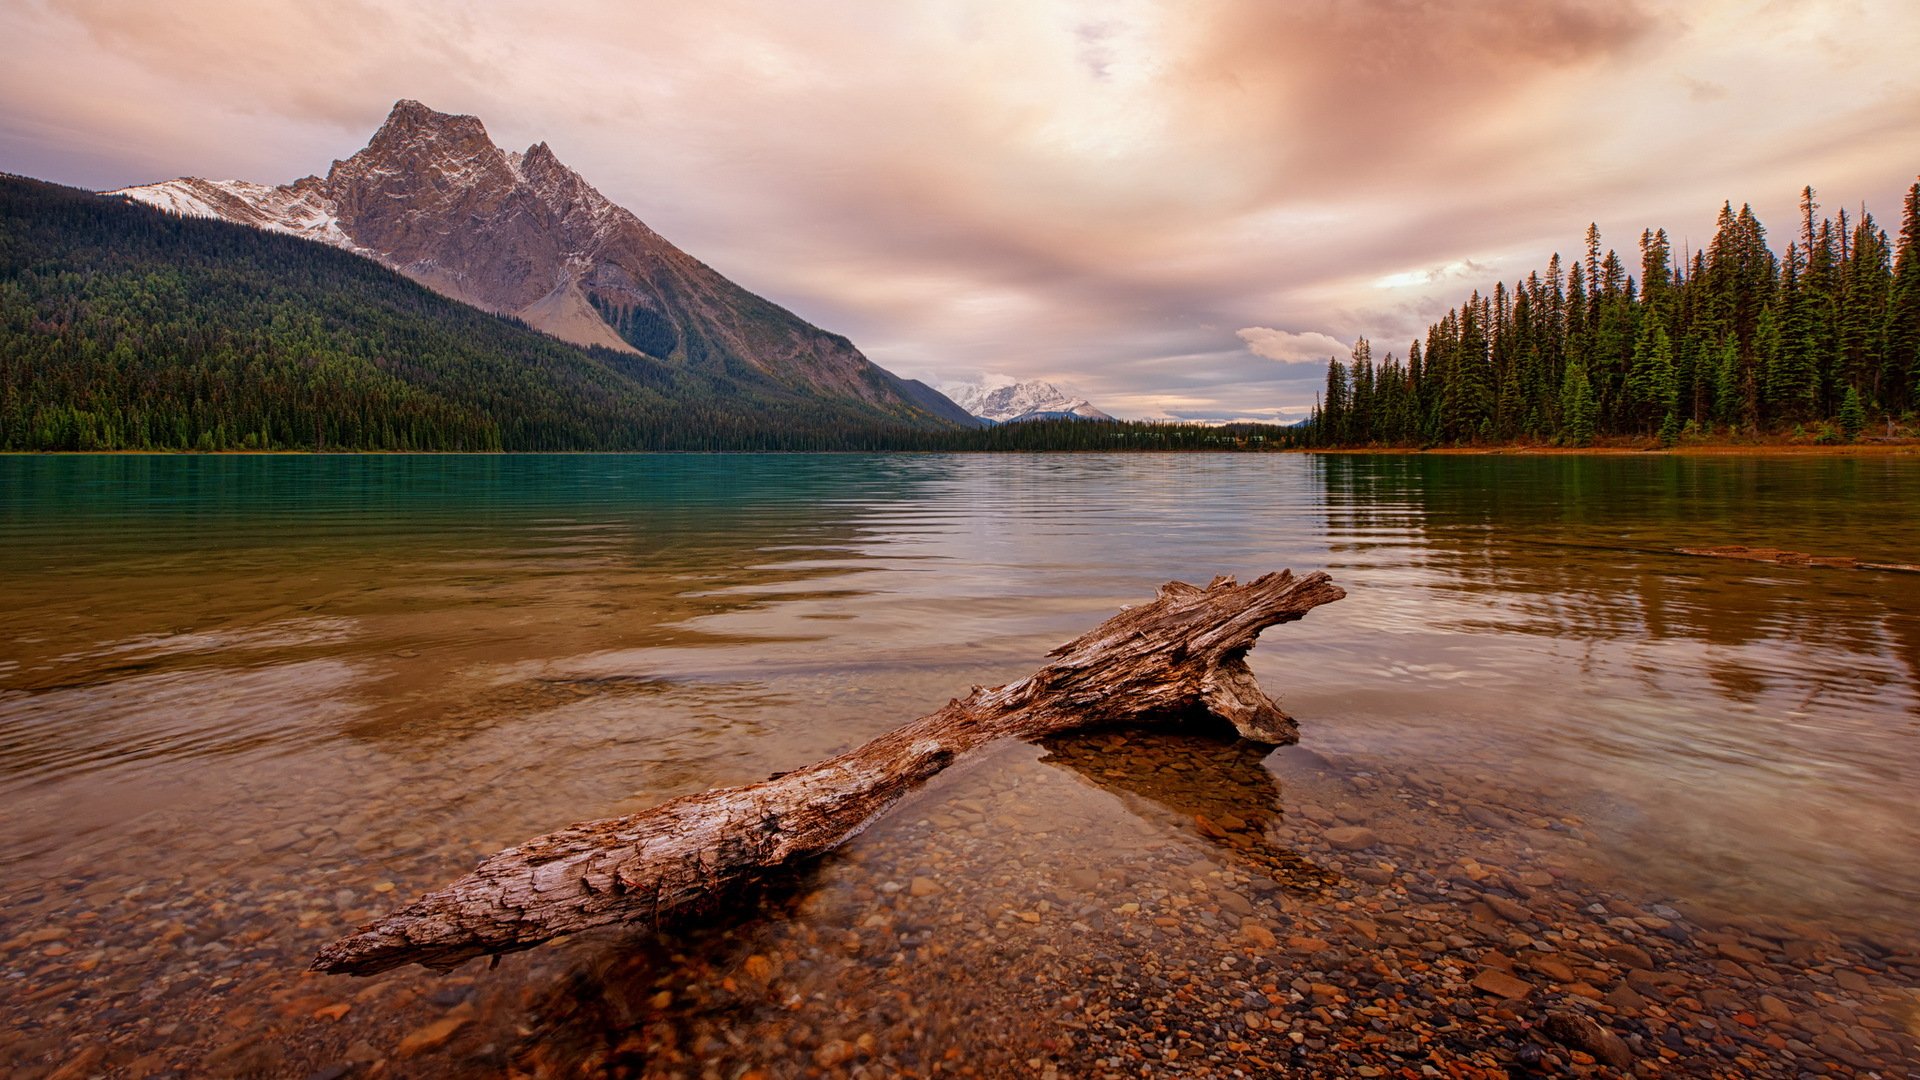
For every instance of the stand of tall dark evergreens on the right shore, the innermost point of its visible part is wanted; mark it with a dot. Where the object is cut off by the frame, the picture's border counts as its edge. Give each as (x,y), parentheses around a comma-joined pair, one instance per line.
(1731,341)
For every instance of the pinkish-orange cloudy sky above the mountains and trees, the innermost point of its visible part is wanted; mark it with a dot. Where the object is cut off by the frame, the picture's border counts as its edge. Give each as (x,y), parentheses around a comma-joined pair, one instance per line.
(1180,209)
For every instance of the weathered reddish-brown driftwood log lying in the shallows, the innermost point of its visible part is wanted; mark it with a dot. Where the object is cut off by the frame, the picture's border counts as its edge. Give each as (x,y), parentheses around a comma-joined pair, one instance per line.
(1172,660)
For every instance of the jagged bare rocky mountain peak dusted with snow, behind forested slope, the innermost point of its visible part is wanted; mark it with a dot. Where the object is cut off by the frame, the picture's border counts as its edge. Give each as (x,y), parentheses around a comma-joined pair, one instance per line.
(523,235)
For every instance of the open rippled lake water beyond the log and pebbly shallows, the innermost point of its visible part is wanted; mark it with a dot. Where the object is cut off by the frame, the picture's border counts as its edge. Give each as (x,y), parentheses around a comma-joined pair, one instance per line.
(274,685)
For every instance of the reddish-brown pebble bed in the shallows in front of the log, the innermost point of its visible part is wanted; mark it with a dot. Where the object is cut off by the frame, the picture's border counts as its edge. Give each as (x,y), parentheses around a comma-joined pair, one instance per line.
(1109,906)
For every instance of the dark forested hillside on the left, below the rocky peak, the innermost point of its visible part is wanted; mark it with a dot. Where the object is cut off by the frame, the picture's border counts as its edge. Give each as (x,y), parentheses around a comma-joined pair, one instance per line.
(124,328)
